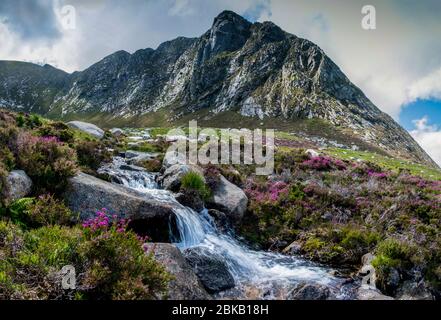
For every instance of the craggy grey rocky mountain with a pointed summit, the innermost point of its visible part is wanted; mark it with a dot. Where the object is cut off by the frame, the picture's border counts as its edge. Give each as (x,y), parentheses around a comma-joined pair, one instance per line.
(236,71)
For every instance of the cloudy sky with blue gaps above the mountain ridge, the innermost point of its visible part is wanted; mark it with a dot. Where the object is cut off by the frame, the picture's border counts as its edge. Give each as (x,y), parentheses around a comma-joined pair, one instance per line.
(397,65)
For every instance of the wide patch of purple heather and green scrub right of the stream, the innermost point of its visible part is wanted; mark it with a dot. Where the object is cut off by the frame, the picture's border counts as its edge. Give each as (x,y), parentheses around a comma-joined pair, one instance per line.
(334,211)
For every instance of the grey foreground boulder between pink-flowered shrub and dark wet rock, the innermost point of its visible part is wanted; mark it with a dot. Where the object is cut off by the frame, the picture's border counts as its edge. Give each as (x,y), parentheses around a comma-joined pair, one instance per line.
(185,285)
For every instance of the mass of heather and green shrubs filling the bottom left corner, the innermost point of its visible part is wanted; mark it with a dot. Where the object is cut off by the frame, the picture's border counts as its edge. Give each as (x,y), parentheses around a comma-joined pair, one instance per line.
(111,262)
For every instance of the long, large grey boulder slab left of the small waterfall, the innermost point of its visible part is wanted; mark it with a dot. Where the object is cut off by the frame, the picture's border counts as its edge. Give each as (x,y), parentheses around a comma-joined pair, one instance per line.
(86,194)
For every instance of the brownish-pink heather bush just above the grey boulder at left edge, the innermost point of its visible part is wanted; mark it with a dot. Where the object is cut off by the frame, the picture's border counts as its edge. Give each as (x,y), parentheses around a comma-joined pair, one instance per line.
(46,160)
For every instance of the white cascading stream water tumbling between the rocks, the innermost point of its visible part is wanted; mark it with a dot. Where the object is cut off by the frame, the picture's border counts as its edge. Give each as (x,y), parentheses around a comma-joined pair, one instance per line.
(267,272)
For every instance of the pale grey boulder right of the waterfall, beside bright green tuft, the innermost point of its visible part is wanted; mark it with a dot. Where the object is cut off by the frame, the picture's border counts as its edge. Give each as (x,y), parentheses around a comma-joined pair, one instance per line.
(229,199)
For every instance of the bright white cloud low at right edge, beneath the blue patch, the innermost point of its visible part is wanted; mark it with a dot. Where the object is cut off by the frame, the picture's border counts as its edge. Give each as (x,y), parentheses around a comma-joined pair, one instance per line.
(429,137)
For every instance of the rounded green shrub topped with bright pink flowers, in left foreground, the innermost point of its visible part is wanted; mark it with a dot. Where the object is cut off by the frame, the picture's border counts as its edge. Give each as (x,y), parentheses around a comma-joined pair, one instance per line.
(118,266)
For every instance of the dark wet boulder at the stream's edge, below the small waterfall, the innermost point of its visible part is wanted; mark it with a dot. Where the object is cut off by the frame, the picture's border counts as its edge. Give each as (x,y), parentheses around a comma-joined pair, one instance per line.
(210,268)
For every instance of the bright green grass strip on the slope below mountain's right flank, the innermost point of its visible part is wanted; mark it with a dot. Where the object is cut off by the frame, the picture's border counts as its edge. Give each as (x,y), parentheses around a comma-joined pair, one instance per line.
(386,162)
